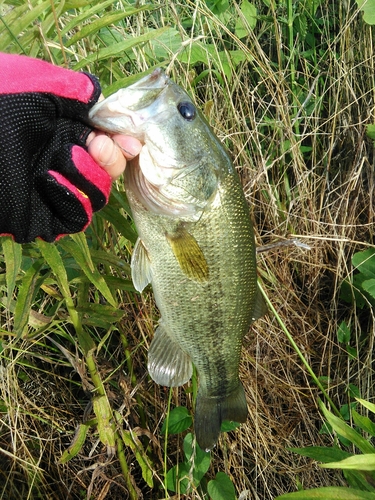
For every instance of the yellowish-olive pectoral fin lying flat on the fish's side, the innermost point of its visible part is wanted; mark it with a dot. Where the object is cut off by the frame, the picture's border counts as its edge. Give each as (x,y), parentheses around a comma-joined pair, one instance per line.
(189,255)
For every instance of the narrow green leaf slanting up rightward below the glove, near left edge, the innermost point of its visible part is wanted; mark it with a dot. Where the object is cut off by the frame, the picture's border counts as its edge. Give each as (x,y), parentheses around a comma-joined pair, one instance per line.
(30,285)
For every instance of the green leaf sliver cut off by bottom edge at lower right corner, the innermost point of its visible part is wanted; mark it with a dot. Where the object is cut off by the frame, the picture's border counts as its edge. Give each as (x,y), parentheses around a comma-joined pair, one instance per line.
(329,493)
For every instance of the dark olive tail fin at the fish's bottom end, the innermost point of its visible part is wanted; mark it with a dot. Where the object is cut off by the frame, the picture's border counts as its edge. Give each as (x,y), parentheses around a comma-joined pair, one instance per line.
(211,411)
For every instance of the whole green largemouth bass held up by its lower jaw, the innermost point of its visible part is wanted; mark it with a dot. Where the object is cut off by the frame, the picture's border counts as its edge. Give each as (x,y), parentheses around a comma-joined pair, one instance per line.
(196,245)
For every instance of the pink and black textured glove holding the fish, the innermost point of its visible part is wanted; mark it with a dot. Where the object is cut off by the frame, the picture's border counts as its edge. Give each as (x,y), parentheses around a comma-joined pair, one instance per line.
(49,184)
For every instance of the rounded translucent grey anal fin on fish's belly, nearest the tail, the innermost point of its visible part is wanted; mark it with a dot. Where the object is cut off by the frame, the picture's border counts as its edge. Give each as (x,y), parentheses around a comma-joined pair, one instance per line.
(167,363)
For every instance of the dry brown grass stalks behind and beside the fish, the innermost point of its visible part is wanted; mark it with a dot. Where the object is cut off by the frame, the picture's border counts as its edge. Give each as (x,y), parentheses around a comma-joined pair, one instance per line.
(325,198)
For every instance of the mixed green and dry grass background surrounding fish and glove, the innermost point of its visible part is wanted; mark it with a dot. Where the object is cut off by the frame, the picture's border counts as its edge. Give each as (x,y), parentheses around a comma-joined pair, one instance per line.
(290,94)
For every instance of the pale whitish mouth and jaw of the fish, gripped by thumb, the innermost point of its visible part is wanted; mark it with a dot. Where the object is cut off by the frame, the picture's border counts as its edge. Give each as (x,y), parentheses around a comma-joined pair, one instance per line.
(128,109)
